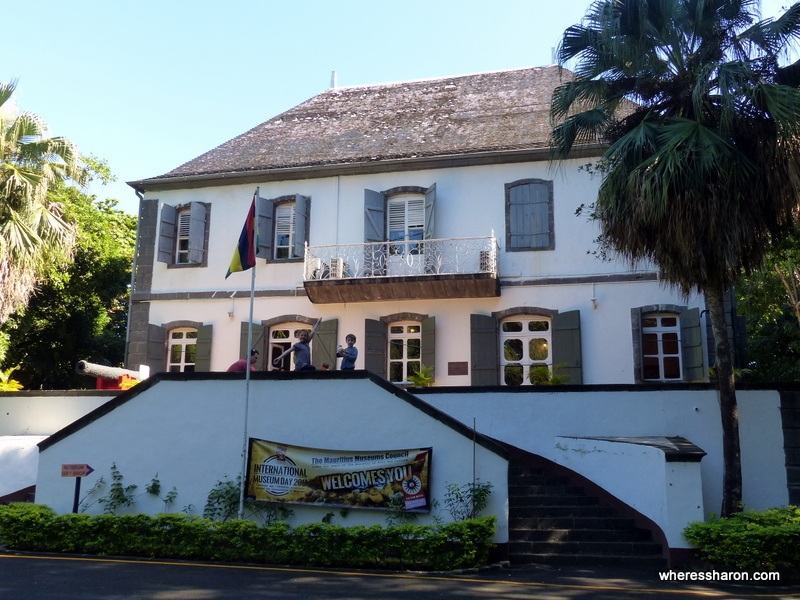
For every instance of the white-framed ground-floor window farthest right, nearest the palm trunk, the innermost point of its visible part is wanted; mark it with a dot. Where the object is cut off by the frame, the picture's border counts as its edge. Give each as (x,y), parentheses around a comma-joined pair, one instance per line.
(661,347)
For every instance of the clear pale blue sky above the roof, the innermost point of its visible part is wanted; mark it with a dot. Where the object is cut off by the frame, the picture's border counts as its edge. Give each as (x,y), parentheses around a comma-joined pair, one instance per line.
(150,84)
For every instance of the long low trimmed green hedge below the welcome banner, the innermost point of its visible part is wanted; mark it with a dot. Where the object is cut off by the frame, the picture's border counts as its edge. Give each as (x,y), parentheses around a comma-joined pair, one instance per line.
(33,527)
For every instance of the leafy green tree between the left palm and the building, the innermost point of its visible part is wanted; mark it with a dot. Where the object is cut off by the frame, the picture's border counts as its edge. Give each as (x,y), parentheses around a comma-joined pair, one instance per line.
(80,312)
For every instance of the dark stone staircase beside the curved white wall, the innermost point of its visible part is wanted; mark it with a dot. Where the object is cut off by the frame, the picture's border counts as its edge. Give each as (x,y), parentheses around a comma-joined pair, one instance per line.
(556,523)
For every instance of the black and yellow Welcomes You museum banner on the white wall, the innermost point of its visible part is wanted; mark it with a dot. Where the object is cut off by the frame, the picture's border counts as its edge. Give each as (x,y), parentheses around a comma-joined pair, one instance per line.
(377,479)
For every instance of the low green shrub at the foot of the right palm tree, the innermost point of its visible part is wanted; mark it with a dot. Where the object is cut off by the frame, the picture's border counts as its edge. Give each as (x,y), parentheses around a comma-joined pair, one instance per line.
(750,541)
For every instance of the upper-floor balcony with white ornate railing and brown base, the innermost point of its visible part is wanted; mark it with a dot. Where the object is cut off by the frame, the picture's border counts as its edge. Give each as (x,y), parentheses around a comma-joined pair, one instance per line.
(402,270)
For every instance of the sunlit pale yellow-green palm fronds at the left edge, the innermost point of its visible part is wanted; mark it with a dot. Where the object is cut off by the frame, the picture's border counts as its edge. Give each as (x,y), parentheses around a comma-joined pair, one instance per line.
(33,234)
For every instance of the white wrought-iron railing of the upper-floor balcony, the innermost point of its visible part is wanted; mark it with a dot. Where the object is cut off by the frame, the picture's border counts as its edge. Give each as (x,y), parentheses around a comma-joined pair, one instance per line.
(446,256)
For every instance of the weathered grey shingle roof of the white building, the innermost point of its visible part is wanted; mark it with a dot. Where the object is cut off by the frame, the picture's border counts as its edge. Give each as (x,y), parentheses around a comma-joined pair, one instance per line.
(487,112)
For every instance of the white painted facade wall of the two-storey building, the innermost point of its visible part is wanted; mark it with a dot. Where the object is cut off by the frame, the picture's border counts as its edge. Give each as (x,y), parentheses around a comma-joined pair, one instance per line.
(470,202)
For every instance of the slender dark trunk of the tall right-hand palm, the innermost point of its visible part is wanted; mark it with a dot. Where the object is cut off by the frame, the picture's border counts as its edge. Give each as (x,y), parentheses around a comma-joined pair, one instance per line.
(728,407)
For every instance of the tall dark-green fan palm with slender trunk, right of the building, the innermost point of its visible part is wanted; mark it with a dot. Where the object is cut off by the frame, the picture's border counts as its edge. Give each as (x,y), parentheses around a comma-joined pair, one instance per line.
(701,164)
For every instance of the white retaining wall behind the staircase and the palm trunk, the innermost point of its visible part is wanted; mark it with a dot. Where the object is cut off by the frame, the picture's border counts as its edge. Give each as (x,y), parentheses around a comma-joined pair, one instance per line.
(542,418)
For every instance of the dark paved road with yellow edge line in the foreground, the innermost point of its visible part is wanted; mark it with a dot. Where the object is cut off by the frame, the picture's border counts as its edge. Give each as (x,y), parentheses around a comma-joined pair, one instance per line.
(58,577)
